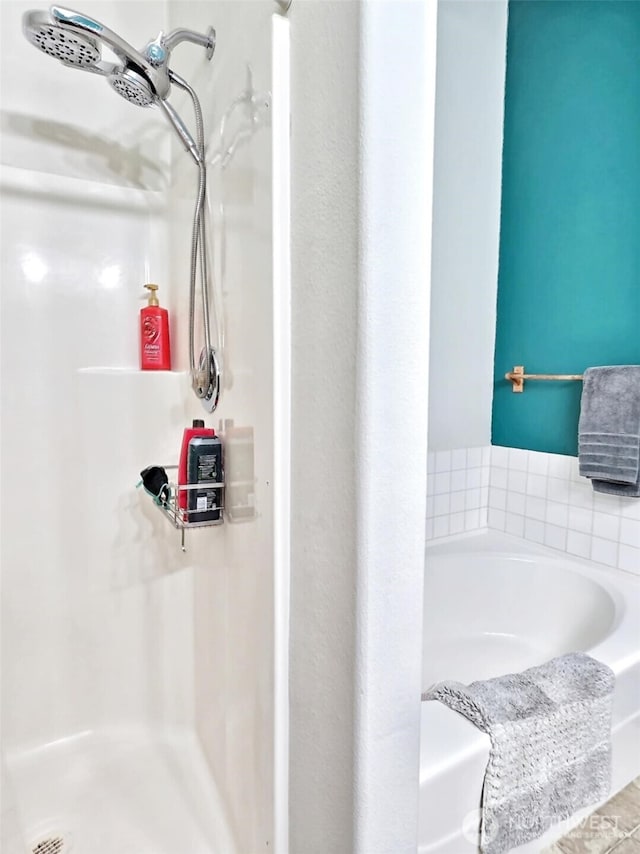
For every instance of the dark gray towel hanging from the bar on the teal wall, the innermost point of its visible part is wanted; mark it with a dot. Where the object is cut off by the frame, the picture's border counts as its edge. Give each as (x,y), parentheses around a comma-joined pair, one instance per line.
(609,429)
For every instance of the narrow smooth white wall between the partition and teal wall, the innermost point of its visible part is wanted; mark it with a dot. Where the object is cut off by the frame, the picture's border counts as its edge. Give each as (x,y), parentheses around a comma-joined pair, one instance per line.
(471,55)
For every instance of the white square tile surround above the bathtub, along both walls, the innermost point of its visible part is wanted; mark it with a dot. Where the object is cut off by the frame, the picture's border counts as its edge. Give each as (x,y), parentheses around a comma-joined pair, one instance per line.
(537,496)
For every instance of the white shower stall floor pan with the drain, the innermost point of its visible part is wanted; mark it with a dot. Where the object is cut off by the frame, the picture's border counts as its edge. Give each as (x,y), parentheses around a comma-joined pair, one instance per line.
(118,791)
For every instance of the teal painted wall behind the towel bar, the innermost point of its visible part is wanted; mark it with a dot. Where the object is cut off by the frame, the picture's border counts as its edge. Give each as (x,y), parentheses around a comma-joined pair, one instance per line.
(569,269)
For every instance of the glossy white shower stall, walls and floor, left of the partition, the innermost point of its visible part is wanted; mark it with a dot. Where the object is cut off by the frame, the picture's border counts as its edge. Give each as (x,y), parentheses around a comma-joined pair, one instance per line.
(122,657)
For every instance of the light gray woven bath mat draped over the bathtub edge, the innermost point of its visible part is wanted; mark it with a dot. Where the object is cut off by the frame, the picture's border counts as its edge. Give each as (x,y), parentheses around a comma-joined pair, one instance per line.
(550,731)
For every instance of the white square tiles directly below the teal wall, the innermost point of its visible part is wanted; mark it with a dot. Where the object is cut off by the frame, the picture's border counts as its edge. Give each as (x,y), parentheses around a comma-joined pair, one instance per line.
(542,498)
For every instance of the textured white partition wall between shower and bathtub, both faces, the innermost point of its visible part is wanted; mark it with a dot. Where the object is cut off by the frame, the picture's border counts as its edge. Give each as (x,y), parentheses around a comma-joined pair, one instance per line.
(362,77)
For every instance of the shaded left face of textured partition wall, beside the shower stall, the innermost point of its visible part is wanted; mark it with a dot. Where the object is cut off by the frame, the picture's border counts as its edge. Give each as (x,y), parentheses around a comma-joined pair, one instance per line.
(325,185)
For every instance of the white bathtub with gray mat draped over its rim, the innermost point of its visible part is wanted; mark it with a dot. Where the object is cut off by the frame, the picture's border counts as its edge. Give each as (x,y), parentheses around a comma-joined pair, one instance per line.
(496,604)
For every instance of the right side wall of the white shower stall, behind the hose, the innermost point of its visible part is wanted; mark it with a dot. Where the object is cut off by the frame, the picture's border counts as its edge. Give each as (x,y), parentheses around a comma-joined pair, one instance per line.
(239,608)
